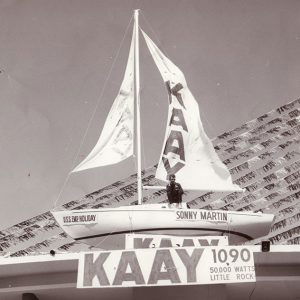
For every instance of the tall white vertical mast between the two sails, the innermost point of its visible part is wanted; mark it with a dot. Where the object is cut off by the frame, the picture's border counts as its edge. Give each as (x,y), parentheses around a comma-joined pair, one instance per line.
(137,102)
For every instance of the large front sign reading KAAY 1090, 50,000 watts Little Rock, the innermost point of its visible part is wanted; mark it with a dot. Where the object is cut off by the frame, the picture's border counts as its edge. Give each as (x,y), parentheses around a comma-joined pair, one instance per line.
(169,266)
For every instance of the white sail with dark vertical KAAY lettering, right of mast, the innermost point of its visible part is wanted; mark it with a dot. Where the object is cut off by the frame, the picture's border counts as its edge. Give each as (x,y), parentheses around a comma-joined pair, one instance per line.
(187,151)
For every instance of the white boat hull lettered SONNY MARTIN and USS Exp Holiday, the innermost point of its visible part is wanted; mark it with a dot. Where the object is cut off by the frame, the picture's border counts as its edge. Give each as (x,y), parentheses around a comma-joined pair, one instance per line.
(106,228)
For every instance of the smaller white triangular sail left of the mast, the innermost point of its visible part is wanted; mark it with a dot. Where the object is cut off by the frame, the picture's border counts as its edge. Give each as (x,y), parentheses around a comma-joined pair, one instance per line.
(116,141)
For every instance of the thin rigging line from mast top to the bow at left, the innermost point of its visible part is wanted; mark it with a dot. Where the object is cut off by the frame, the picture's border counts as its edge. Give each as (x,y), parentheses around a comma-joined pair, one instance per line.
(94,112)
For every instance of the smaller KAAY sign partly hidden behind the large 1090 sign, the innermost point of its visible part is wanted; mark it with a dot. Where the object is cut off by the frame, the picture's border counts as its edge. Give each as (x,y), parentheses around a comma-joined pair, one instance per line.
(137,241)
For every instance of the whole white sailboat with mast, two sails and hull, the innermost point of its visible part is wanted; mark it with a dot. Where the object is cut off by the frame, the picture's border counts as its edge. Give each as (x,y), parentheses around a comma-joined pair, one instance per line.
(187,152)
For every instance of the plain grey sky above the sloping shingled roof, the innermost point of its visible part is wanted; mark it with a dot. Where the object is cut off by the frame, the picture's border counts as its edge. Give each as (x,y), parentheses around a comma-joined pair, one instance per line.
(62,63)
